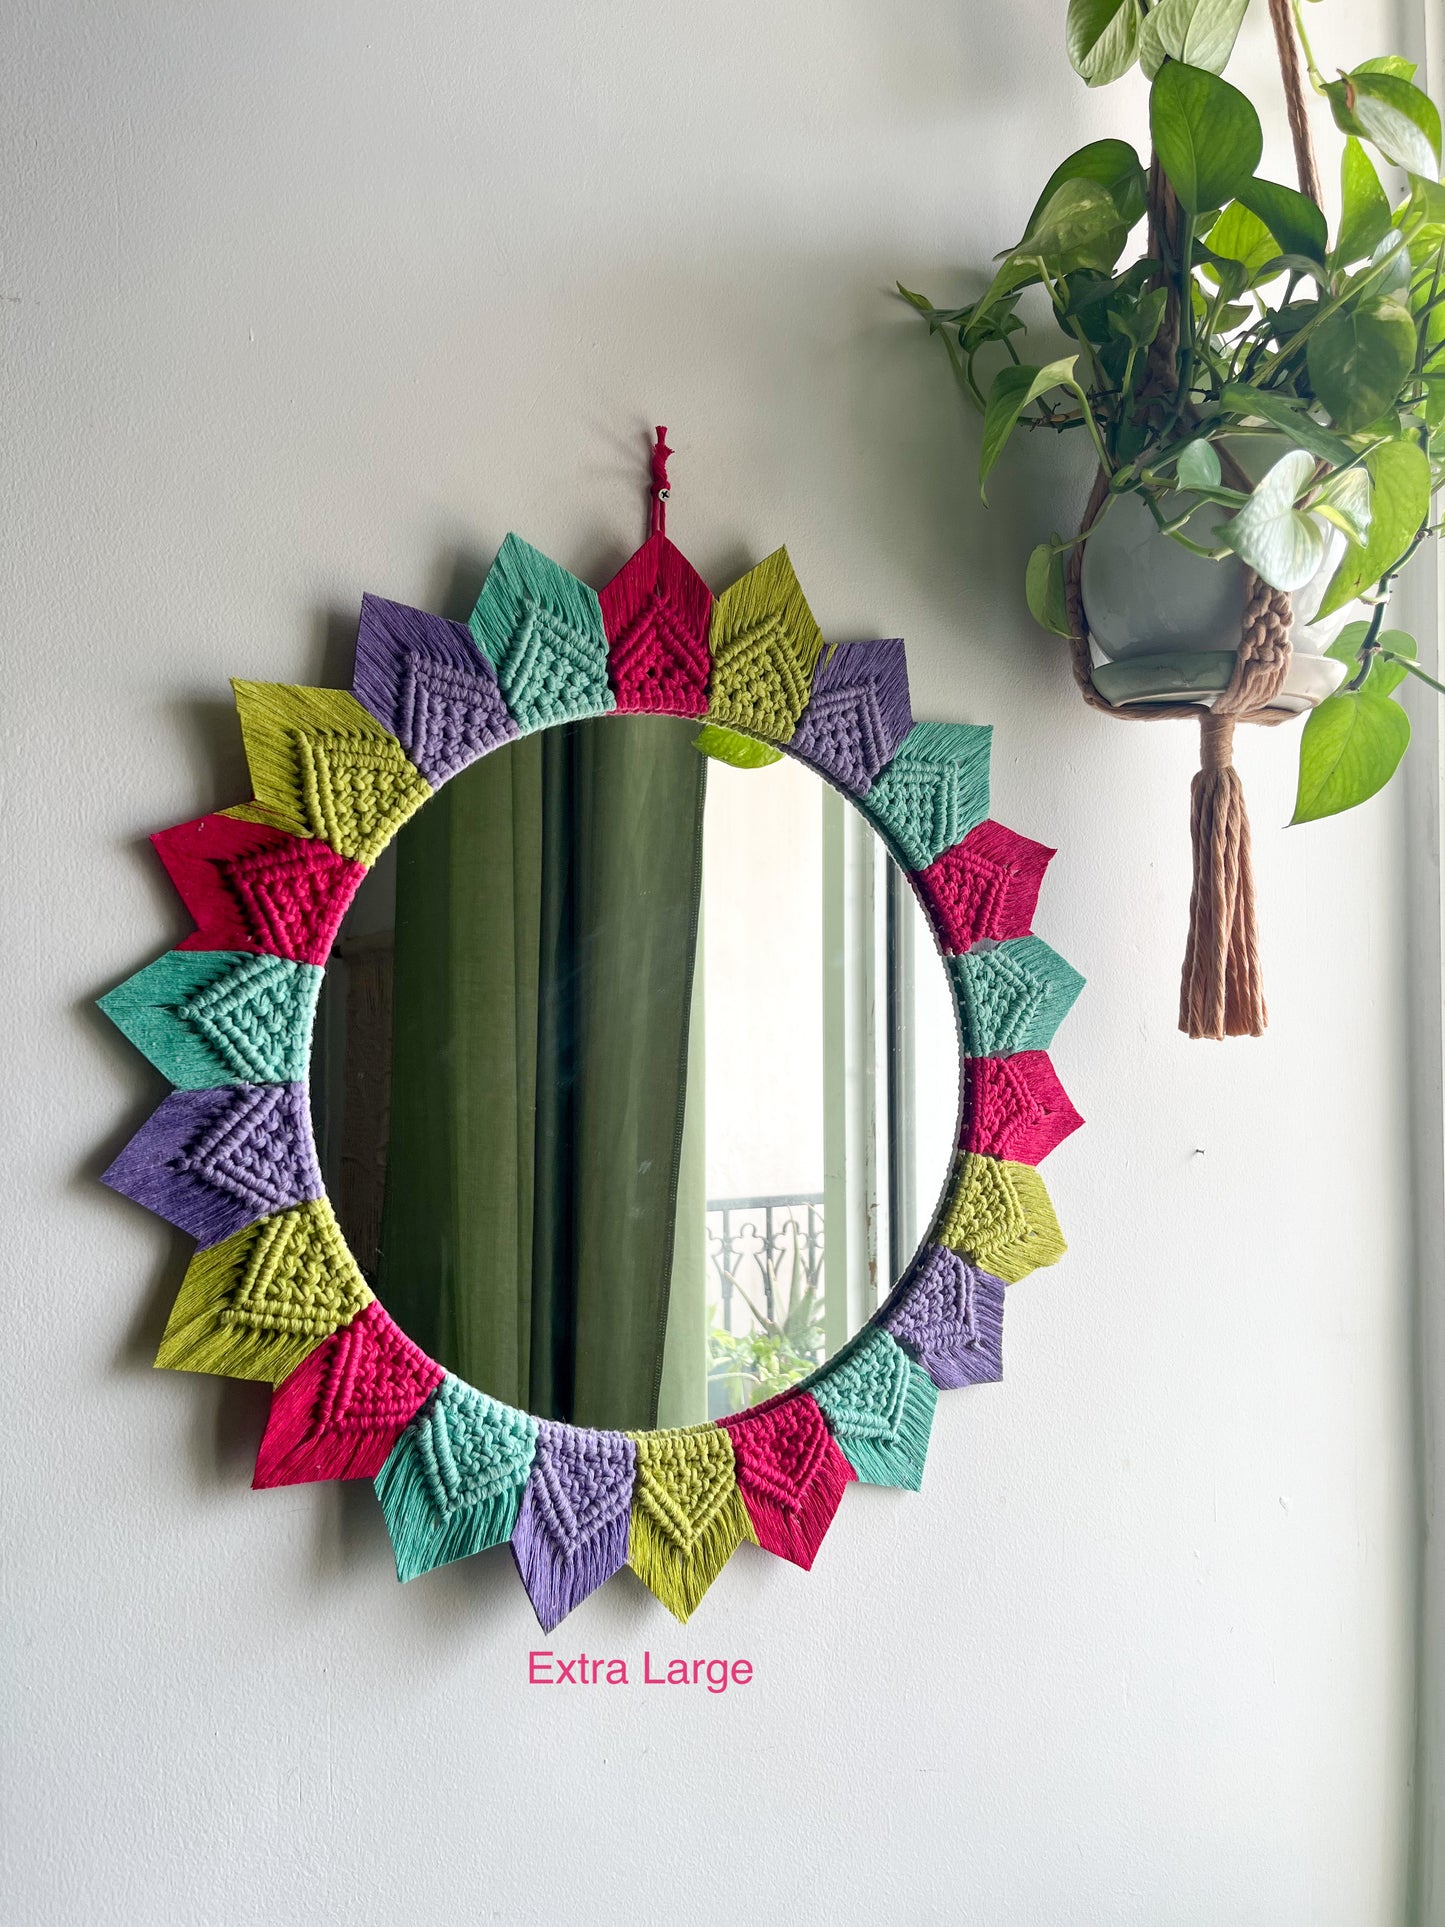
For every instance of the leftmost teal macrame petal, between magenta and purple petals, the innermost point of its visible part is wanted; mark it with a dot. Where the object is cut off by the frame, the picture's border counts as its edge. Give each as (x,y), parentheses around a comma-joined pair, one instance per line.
(215,1018)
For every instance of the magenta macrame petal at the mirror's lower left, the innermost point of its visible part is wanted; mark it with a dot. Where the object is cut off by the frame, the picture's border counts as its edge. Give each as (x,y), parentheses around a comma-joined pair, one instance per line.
(346,1406)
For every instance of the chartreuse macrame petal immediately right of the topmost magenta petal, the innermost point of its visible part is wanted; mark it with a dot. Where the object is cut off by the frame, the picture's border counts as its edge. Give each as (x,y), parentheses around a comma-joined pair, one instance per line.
(766,647)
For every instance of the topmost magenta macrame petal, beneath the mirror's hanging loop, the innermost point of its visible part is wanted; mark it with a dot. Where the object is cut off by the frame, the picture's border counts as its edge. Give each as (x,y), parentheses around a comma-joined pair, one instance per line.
(656,612)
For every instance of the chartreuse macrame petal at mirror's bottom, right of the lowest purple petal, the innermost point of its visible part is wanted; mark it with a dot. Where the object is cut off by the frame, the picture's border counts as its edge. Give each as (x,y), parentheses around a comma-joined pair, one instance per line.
(687,1514)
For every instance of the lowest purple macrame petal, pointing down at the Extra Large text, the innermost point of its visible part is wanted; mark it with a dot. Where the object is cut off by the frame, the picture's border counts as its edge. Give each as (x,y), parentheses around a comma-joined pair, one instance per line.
(573,1529)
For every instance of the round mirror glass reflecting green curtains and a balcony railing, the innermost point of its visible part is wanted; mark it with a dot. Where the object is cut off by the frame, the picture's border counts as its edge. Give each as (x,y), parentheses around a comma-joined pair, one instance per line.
(635,1076)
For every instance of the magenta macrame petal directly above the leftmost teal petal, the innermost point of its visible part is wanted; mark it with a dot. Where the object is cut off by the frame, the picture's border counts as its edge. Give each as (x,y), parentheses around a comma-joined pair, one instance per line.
(255,887)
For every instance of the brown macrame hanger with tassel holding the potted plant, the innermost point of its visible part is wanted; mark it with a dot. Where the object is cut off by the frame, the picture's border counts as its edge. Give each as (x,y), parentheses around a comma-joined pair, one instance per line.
(1221,991)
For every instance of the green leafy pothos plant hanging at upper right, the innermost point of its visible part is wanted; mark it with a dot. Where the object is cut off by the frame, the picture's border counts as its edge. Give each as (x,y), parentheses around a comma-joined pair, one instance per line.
(1242,317)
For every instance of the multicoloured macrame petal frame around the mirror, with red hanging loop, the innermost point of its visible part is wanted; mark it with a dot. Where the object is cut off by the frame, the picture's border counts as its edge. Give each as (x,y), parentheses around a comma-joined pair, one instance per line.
(275,1294)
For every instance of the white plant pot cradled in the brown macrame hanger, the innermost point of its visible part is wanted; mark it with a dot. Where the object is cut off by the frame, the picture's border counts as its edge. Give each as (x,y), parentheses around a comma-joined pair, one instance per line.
(1165,623)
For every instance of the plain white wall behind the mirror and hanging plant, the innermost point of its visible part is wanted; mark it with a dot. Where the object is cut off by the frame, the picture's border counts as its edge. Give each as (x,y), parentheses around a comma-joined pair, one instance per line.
(313,300)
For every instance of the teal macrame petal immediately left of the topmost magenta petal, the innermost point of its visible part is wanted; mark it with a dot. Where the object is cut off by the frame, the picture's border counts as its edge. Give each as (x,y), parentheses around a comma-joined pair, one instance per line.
(542,631)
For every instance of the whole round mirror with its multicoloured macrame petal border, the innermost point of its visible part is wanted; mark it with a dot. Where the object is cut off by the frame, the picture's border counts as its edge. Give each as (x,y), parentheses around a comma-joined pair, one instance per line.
(610,1074)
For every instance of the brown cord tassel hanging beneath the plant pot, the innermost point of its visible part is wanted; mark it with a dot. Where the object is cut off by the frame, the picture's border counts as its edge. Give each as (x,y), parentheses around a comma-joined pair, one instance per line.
(1221,991)
